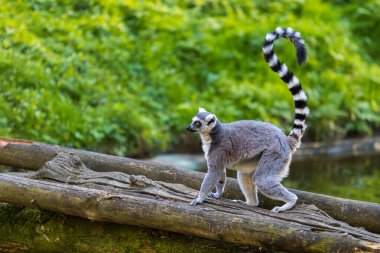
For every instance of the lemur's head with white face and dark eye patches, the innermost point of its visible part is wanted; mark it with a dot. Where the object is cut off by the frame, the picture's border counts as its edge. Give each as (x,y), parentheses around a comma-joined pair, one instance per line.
(203,122)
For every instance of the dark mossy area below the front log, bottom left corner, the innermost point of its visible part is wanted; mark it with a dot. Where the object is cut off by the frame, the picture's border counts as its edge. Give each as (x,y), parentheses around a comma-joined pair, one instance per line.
(26,229)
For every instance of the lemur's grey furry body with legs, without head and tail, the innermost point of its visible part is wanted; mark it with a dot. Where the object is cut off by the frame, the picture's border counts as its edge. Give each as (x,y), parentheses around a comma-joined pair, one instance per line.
(241,146)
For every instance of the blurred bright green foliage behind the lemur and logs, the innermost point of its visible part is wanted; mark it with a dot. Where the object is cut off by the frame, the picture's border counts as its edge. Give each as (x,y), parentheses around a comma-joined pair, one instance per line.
(126,77)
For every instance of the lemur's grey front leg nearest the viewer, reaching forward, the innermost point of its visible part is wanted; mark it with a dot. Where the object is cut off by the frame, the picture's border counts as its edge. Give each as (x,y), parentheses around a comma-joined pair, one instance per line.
(214,173)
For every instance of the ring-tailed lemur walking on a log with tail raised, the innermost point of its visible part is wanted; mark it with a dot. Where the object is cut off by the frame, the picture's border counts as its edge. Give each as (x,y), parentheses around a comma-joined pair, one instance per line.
(259,151)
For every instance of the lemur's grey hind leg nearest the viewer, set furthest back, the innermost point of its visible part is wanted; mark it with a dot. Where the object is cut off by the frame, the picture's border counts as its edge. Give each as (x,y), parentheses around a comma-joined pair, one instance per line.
(271,170)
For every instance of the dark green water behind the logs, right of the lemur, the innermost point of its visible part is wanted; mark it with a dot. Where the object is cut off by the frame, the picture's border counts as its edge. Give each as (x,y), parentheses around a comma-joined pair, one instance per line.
(352,178)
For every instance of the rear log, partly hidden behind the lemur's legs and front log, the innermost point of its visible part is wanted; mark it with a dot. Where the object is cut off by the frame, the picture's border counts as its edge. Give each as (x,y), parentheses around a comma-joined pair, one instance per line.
(33,155)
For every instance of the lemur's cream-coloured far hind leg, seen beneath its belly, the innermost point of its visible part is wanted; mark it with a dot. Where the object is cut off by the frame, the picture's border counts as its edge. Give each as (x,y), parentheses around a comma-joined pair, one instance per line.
(248,188)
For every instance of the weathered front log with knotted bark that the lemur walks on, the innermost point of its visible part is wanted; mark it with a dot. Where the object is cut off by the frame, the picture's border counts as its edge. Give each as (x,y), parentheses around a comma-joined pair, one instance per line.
(66,185)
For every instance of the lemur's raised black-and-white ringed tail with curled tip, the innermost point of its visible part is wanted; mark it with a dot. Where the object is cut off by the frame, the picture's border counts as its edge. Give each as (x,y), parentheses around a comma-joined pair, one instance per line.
(294,85)
